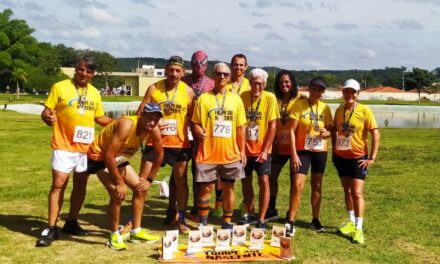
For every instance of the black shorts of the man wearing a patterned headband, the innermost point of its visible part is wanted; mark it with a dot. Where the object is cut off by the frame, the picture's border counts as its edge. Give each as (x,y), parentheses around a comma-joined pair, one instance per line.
(171,155)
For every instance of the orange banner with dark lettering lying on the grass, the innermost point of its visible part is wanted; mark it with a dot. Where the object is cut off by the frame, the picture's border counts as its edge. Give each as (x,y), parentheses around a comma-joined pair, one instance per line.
(235,254)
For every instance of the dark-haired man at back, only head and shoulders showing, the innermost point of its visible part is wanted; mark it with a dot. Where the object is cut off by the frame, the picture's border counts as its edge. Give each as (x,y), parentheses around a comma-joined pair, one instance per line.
(238,83)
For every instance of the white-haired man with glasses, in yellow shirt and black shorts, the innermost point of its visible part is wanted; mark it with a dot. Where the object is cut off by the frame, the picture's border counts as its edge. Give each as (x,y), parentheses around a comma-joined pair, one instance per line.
(262,115)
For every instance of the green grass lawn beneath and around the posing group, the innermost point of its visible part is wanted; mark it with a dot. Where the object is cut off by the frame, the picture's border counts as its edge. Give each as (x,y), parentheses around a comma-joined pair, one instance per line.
(402,221)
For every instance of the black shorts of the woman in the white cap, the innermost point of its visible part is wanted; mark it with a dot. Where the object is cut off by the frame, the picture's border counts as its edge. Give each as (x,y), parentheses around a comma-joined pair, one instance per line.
(350,167)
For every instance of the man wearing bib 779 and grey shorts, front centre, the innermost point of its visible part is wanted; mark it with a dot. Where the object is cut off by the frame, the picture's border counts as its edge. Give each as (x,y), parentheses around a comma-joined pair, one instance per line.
(219,124)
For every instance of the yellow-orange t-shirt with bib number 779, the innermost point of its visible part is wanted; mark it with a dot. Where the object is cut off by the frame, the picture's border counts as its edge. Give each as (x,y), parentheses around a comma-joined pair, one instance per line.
(220,145)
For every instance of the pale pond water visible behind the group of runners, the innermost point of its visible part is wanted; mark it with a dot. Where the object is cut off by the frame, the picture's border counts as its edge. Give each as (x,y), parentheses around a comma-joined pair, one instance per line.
(395,116)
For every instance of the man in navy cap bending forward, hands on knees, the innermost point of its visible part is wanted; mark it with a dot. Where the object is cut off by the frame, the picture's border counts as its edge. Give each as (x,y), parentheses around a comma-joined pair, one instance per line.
(107,157)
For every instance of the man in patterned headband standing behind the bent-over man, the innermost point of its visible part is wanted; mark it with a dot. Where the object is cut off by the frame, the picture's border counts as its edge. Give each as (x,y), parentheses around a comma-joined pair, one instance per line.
(176,101)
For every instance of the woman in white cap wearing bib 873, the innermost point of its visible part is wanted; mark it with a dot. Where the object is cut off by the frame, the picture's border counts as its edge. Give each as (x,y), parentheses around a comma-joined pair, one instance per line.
(353,121)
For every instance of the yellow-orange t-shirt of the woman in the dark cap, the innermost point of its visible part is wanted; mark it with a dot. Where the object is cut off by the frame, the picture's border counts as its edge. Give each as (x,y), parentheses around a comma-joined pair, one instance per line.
(305,134)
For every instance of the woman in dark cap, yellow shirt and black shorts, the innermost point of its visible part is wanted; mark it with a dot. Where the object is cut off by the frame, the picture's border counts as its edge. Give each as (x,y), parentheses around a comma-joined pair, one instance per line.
(310,126)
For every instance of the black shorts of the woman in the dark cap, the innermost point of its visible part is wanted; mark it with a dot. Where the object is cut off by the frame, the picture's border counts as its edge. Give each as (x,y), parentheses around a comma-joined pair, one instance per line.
(317,160)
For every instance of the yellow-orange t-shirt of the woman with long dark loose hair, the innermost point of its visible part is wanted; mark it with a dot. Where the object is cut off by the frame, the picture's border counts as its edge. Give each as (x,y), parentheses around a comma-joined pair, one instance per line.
(282,138)
